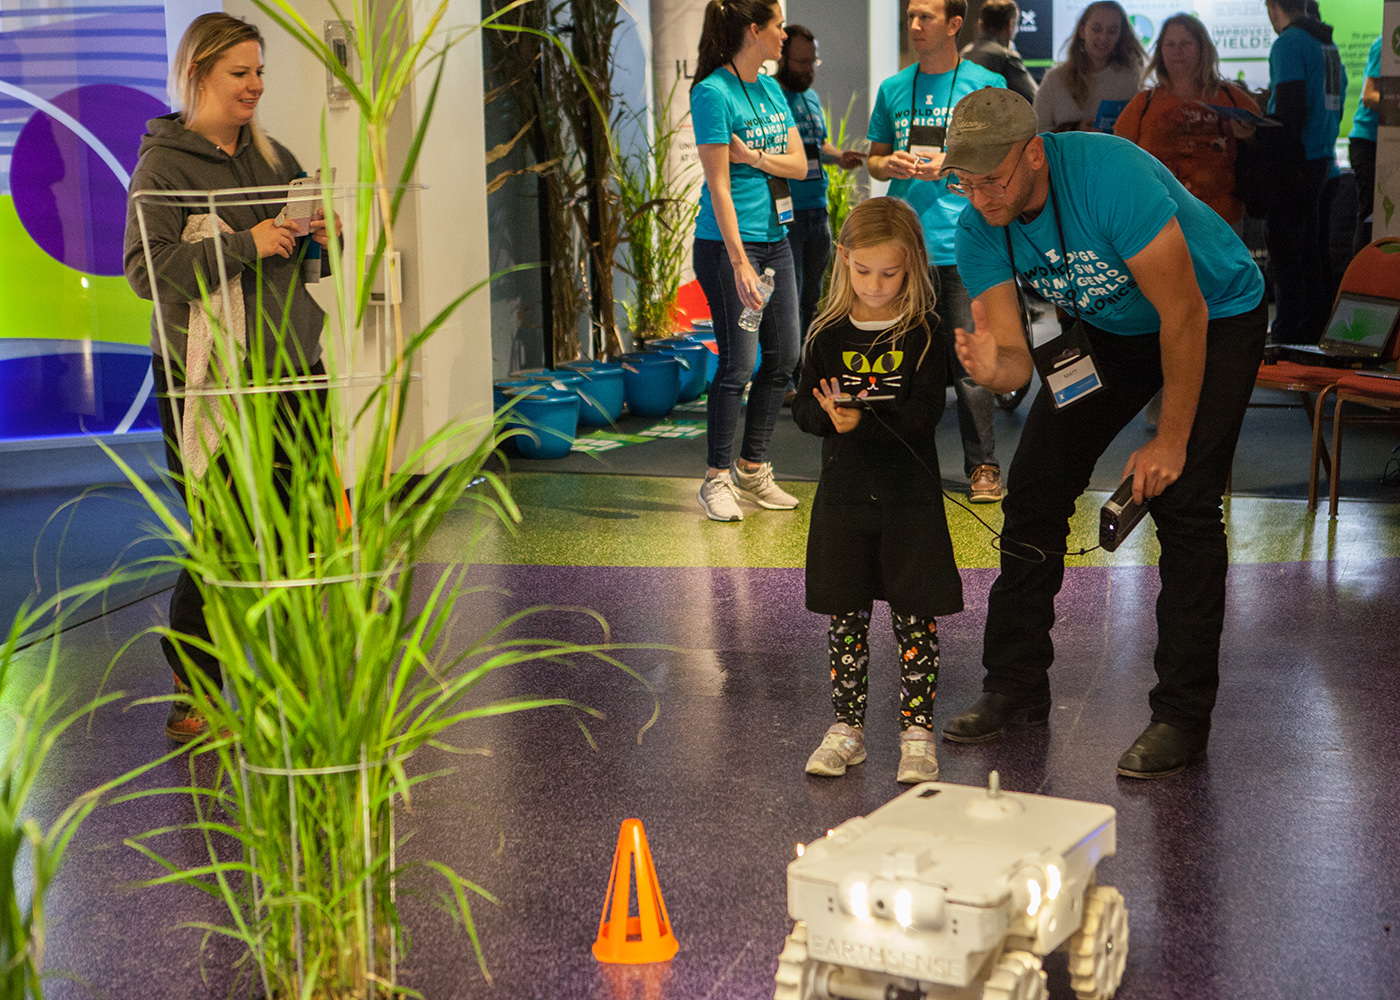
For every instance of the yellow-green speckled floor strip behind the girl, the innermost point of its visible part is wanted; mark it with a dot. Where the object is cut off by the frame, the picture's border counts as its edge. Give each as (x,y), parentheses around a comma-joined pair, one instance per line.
(572,520)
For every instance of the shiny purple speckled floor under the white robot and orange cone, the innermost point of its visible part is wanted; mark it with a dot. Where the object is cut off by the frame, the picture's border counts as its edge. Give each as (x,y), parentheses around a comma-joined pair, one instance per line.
(1269,870)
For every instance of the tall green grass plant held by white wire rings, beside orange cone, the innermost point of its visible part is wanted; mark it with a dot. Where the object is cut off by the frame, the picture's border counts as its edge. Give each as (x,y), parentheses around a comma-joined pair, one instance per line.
(335,644)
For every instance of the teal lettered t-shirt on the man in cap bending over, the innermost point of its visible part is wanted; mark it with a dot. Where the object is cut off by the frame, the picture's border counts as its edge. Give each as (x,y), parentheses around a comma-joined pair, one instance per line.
(1114,200)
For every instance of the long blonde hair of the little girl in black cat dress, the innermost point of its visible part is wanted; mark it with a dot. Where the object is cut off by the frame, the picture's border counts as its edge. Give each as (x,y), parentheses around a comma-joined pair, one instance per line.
(883,221)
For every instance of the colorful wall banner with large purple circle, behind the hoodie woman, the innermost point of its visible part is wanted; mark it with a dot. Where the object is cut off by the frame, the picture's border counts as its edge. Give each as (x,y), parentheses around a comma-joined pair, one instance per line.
(78,85)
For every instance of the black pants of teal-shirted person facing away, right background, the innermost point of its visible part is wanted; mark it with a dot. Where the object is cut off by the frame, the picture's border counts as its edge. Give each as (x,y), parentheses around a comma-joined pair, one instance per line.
(1301,277)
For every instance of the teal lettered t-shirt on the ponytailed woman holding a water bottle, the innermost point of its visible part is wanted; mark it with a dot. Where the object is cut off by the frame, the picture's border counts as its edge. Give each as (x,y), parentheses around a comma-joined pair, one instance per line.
(722,106)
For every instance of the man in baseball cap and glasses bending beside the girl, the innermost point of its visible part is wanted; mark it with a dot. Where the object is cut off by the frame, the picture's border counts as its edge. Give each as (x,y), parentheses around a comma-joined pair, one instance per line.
(1158,292)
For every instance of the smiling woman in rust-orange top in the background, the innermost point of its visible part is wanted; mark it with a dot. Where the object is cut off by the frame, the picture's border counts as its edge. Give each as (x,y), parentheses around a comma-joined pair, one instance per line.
(1174,120)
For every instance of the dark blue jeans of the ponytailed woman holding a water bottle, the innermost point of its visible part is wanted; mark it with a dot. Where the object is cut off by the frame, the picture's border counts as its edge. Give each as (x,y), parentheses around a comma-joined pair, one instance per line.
(738,349)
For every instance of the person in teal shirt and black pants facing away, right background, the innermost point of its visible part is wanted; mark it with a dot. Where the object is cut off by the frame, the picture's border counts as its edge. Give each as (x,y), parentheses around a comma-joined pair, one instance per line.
(1307,83)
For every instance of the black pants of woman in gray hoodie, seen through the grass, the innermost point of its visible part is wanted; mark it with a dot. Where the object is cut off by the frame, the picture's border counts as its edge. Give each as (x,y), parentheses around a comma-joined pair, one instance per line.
(187,600)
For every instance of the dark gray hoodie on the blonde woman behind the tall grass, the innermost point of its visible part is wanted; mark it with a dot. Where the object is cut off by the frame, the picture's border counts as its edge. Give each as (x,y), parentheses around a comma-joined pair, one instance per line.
(177,159)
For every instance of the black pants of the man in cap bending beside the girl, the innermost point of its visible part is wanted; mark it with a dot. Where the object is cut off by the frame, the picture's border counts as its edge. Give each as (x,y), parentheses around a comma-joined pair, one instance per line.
(1052,468)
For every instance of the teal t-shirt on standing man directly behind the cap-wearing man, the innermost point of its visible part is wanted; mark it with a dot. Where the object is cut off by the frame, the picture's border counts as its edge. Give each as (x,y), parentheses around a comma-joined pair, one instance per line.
(897,107)
